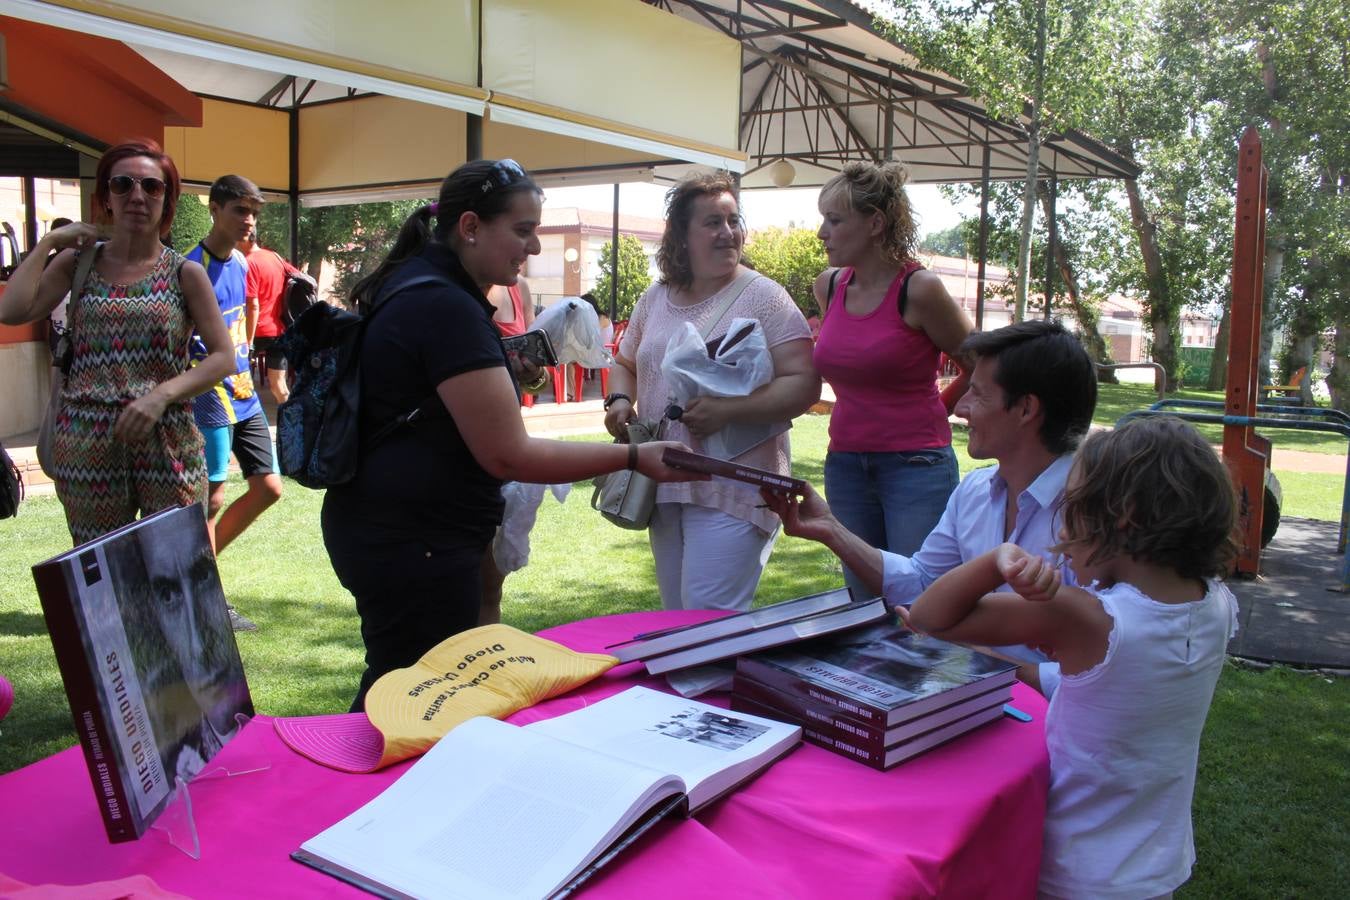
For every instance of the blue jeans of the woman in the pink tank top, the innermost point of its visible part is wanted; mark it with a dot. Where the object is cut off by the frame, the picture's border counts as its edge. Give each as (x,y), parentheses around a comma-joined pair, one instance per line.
(890,500)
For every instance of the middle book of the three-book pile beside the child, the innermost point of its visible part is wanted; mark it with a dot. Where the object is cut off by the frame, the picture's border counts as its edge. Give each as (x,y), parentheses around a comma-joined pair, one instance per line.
(828,720)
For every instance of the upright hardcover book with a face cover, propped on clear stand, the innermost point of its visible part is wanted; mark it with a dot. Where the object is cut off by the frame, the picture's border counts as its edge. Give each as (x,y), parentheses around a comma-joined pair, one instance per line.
(142,638)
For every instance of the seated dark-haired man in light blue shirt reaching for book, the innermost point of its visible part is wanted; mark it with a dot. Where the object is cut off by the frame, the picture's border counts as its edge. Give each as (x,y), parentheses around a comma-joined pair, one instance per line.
(1031,401)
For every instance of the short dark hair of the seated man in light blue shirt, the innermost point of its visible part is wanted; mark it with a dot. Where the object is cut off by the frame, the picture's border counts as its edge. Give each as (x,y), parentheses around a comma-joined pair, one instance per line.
(1043,360)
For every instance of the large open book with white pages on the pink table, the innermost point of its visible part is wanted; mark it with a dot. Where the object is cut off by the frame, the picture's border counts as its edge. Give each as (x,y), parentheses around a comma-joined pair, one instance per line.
(496,810)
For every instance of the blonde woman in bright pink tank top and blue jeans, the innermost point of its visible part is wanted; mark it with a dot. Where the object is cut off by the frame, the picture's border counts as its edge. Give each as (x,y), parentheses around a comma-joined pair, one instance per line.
(886,320)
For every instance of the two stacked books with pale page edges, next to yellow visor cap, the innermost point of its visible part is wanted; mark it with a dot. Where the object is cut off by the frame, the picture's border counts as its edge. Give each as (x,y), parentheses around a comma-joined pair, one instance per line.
(788,623)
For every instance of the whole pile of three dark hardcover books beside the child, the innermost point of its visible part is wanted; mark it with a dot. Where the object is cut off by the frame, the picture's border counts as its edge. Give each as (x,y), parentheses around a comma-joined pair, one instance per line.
(878,696)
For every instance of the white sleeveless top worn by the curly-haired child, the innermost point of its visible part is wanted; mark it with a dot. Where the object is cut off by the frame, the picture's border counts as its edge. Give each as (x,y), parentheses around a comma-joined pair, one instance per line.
(1124,739)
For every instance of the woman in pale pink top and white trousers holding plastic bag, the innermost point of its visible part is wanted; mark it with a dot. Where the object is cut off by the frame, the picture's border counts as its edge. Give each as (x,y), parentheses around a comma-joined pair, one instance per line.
(711,540)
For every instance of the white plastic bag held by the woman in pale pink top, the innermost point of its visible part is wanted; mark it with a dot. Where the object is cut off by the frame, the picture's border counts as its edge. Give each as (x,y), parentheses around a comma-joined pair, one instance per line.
(740,365)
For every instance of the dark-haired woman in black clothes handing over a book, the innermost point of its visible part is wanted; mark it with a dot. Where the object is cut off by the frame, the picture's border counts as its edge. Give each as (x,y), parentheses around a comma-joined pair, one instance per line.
(408,535)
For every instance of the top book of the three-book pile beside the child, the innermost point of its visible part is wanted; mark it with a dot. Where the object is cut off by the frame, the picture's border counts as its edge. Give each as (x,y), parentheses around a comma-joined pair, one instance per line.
(881,677)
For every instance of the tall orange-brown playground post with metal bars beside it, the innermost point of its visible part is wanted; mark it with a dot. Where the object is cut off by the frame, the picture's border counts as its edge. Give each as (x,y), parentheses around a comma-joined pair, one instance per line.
(1248,454)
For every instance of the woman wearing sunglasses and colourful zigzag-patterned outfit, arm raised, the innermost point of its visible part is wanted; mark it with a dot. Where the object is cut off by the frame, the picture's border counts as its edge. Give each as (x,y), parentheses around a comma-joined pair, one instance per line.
(125,442)
